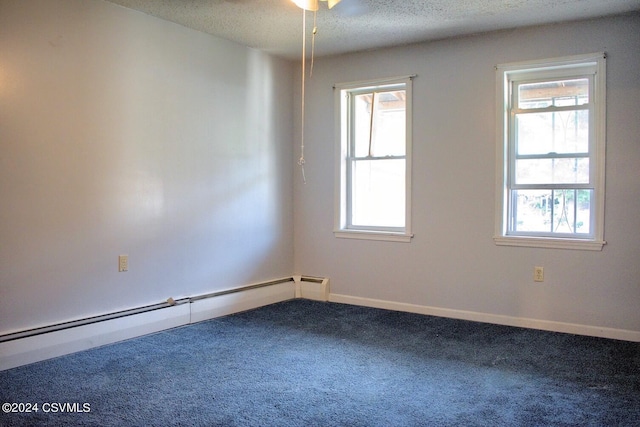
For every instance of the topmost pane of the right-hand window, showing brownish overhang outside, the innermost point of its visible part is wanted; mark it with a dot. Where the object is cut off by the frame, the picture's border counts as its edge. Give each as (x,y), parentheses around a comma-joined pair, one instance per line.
(555,93)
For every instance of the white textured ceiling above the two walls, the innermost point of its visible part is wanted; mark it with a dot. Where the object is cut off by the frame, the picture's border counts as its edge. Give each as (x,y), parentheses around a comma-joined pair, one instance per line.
(275,26)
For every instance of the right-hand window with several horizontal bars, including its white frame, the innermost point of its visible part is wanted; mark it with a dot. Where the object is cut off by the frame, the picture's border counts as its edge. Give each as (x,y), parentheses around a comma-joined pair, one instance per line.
(551,129)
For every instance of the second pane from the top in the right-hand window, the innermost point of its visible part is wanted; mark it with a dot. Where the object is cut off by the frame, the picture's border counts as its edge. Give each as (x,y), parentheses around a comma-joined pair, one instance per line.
(553,132)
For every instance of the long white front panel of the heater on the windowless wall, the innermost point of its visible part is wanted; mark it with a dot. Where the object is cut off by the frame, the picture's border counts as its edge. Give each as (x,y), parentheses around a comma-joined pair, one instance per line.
(41,346)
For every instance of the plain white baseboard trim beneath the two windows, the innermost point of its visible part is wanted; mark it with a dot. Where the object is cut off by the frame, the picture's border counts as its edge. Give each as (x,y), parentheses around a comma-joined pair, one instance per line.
(545,325)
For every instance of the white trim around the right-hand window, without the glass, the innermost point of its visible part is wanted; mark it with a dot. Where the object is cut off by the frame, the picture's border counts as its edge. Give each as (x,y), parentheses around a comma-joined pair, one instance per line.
(596,242)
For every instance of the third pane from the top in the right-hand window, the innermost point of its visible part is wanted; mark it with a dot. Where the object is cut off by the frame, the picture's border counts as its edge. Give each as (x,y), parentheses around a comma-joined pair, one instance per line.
(553,171)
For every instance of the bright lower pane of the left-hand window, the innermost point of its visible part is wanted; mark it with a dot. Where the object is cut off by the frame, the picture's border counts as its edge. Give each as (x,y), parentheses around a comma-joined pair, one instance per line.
(378,193)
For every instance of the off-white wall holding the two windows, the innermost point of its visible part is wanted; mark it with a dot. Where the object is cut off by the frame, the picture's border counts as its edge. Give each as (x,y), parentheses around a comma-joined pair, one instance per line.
(452,262)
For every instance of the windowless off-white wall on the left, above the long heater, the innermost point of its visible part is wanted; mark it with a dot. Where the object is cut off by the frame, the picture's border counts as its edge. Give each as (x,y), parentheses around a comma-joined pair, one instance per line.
(125,134)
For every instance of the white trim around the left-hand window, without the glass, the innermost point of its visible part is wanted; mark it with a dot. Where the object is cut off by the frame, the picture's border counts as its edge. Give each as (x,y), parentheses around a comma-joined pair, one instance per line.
(340,229)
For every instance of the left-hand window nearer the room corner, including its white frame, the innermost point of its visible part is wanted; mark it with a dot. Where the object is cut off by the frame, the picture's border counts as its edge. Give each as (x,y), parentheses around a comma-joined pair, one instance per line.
(373,182)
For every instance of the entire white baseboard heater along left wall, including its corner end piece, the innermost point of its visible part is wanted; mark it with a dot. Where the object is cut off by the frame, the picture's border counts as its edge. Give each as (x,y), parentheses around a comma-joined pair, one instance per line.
(36,344)
